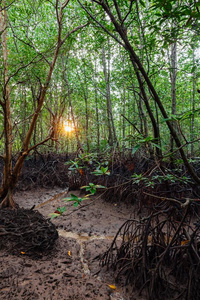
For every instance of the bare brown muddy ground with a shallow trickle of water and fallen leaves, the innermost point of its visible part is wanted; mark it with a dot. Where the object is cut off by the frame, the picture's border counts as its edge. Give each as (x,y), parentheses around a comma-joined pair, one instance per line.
(69,271)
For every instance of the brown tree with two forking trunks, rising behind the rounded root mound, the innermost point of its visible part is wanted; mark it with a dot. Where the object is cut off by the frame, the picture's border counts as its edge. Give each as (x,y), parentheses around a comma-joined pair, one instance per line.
(11,177)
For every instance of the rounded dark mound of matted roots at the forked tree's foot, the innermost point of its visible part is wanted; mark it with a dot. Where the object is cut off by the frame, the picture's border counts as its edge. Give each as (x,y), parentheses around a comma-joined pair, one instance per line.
(26,231)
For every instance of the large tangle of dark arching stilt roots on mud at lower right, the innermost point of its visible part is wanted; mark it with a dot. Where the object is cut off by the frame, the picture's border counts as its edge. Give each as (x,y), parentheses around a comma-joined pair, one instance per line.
(158,256)
